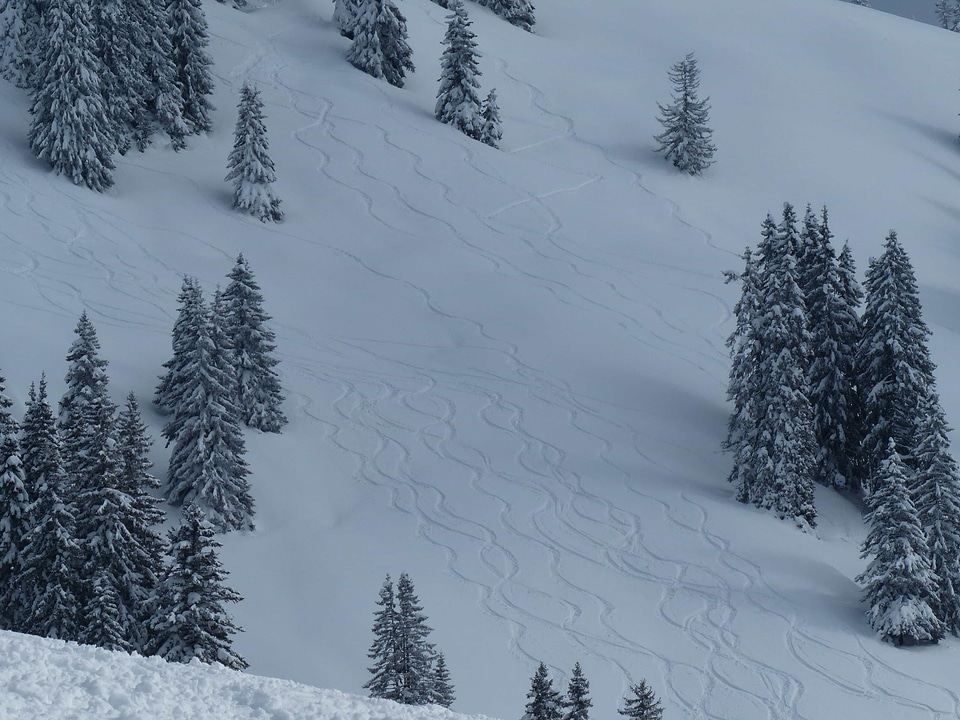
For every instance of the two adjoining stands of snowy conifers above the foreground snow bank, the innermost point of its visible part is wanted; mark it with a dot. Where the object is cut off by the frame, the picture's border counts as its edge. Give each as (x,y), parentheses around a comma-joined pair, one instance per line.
(81,554)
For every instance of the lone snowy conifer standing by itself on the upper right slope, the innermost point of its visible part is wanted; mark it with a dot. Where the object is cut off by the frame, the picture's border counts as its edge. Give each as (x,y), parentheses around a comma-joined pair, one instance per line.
(686,139)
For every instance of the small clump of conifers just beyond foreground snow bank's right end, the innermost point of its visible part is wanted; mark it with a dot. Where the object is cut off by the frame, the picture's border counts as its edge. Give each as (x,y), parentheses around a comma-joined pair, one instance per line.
(407,667)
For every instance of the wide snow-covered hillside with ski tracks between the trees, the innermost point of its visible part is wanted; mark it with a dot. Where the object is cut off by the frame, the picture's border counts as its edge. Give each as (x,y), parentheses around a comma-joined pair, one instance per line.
(506,369)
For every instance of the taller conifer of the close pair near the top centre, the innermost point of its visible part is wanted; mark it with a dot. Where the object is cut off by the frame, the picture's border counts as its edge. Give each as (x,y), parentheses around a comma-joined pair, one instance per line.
(457,100)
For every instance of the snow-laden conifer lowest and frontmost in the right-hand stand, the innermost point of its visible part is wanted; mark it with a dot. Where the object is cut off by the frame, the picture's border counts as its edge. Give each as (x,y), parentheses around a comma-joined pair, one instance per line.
(899,582)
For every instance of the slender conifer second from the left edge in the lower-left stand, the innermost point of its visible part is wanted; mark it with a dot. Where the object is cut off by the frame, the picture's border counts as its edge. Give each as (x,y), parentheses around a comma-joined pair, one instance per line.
(50,573)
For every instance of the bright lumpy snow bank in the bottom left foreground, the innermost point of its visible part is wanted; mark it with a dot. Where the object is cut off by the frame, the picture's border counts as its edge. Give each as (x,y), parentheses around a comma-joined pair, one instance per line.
(49,679)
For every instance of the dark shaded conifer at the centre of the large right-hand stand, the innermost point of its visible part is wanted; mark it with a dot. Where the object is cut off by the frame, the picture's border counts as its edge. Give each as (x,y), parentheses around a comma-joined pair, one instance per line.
(834,332)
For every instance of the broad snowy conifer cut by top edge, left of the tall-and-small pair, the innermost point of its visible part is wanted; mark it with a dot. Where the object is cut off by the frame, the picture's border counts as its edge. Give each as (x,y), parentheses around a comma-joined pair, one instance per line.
(380,45)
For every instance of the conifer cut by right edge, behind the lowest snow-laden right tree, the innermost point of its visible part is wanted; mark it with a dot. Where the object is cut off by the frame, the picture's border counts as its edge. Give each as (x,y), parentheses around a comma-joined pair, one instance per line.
(936,496)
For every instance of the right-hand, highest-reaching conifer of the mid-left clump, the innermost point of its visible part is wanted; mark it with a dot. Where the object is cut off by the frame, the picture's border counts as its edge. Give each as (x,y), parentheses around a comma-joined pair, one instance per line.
(259,396)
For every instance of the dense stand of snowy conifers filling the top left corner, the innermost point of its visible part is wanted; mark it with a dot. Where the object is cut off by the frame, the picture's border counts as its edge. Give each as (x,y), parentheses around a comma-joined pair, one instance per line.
(104,76)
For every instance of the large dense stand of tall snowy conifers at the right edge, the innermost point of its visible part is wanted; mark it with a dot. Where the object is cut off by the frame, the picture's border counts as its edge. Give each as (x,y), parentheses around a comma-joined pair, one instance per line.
(822,394)
